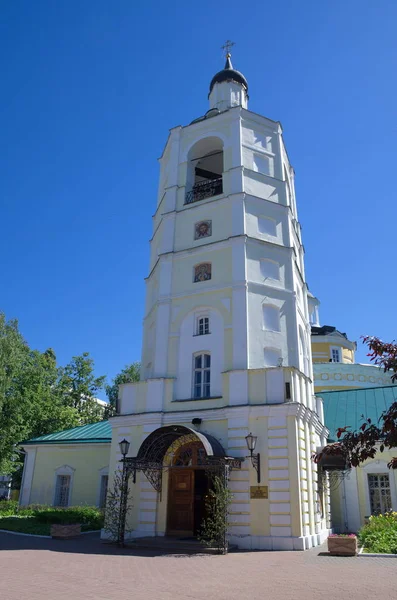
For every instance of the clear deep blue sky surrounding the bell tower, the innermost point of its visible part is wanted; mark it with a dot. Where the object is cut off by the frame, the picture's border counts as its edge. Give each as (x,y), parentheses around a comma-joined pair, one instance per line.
(89,92)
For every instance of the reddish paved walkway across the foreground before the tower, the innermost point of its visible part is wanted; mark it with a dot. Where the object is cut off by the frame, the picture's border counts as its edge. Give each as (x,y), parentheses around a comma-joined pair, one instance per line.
(85,569)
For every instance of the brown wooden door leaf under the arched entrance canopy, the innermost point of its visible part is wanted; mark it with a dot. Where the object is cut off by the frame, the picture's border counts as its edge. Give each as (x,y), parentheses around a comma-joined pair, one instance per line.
(180,502)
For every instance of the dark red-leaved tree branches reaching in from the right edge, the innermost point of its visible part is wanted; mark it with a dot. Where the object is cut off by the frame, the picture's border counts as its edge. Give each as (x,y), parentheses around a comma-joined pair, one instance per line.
(357,446)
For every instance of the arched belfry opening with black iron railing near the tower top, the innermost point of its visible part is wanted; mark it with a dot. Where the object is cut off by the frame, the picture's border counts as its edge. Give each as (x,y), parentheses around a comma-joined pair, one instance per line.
(205,170)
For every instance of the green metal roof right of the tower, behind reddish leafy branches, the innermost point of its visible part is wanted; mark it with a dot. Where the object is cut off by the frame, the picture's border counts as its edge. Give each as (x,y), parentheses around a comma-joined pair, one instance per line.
(343,408)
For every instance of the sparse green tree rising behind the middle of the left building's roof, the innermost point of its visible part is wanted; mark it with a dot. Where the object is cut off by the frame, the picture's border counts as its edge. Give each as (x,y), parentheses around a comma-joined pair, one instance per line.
(78,388)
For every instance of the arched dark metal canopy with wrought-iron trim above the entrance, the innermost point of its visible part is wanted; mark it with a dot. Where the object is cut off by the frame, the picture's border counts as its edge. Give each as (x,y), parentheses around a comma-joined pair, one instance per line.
(153,450)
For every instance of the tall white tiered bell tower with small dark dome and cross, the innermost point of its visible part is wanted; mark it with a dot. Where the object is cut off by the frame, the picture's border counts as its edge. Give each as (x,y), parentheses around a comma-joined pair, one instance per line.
(226,328)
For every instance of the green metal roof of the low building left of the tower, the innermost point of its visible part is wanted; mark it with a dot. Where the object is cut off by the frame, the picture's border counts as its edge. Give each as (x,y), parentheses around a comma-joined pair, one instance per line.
(95,433)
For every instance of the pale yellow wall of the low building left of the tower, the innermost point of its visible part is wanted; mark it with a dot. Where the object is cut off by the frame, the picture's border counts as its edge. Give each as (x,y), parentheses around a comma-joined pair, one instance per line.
(86,459)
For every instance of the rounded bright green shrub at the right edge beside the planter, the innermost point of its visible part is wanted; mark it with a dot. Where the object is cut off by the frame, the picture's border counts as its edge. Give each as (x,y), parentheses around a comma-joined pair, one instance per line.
(379,535)
